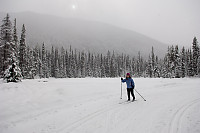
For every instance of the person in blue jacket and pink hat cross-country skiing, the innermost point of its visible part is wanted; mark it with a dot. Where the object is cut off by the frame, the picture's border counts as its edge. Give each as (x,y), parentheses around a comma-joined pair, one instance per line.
(130,86)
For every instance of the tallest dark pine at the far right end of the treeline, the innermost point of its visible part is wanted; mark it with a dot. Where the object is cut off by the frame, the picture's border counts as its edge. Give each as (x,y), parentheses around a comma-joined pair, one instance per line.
(195,49)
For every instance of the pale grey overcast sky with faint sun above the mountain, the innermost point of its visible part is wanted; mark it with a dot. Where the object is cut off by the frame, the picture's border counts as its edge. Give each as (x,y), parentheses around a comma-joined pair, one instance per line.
(169,21)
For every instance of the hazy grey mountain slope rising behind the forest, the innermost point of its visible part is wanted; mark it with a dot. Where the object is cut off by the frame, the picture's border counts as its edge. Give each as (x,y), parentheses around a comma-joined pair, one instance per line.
(83,35)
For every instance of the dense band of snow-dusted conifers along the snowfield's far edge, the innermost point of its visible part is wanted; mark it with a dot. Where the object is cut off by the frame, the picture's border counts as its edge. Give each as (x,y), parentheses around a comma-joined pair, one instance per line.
(19,60)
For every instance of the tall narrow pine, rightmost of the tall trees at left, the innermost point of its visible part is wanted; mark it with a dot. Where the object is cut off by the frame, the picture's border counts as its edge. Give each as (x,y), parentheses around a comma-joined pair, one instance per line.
(22,52)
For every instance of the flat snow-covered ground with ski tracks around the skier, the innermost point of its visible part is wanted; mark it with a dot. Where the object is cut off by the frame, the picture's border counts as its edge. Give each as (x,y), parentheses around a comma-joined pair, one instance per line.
(92,106)
